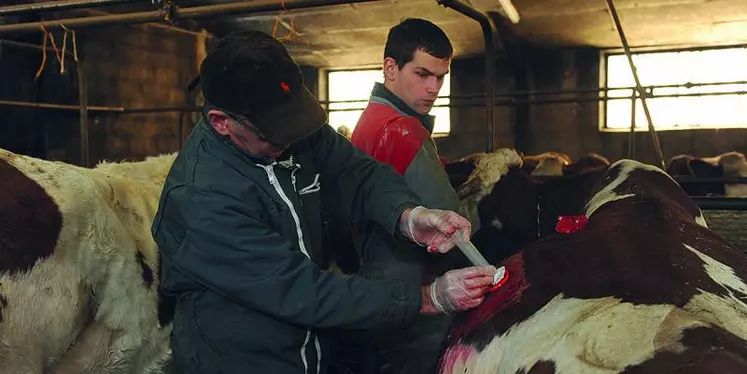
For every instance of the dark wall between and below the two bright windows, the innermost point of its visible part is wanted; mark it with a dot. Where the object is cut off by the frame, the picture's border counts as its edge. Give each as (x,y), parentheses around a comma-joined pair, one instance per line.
(566,127)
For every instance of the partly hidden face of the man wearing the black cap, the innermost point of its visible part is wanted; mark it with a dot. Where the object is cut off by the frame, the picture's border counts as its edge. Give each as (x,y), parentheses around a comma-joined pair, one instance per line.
(242,136)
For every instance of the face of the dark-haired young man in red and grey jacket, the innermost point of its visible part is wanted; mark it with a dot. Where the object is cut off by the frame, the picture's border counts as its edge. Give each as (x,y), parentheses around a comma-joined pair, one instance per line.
(419,81)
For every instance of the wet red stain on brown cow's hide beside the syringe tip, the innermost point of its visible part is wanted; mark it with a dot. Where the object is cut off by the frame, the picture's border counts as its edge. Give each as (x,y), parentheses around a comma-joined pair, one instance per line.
(501,299)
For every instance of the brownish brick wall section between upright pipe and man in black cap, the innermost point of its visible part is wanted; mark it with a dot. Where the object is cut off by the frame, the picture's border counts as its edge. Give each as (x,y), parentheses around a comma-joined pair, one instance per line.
(138,67)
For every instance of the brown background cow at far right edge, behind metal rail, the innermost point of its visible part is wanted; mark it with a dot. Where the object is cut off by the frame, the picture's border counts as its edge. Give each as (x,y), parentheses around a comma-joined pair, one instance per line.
(726,165)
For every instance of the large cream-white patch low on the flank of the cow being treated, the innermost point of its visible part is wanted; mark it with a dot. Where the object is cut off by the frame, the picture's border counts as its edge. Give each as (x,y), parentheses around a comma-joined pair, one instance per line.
(596,336)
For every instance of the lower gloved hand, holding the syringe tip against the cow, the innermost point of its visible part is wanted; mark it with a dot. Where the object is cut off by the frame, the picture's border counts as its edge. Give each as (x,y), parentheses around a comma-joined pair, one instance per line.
(457,290)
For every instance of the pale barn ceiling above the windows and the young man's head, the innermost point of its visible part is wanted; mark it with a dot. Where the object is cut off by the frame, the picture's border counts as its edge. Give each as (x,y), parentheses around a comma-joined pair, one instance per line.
(354,34)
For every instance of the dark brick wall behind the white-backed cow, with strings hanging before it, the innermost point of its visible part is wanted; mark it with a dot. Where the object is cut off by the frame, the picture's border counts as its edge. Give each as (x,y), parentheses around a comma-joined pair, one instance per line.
(135,66)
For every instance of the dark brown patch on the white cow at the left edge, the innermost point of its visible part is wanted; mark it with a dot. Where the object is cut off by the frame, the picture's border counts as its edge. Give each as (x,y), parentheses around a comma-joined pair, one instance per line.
(30,221)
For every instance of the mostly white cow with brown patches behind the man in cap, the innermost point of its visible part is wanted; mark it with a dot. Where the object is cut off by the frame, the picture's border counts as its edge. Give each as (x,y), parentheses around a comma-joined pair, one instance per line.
(78,271)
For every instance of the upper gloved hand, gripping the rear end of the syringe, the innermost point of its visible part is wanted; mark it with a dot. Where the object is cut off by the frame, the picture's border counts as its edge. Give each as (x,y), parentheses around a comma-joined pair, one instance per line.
(432,228)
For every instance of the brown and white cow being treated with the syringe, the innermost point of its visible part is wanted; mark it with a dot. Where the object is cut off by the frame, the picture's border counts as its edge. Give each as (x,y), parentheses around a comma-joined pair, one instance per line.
(644,287)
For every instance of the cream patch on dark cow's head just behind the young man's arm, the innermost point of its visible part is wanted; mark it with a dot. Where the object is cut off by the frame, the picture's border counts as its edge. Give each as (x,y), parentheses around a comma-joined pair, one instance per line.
(488,171)
